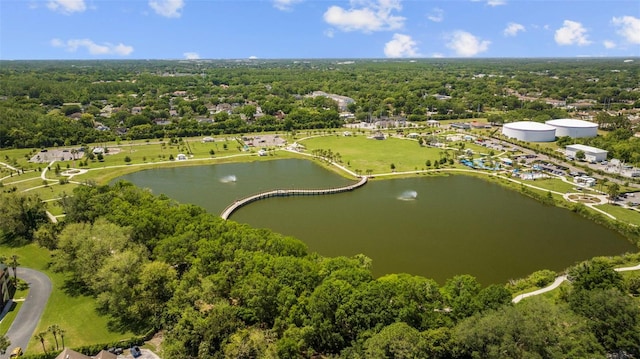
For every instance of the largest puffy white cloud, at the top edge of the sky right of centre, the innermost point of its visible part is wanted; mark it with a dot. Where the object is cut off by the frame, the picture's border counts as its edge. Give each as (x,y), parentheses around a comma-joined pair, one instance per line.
(366,16)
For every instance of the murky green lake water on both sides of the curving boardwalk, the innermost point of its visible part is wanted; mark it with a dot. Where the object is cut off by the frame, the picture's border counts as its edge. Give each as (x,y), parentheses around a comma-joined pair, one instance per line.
(436,227)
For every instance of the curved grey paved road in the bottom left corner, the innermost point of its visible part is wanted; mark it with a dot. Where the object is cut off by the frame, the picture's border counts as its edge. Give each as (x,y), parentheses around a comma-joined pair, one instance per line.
(21,331)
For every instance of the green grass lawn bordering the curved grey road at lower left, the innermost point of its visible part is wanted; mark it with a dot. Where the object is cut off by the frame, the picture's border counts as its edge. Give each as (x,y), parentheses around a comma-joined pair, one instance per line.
(75,314)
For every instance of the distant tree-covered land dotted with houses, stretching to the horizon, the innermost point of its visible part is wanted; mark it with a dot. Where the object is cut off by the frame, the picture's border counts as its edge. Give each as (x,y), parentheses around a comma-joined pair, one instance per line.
(64,103)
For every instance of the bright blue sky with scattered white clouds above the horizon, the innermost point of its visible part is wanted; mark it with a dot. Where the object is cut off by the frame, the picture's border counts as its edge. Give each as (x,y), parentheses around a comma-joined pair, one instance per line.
(240,29)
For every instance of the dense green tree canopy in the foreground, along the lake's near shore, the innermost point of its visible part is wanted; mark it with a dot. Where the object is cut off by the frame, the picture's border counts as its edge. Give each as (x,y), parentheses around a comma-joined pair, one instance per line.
(219,289)
